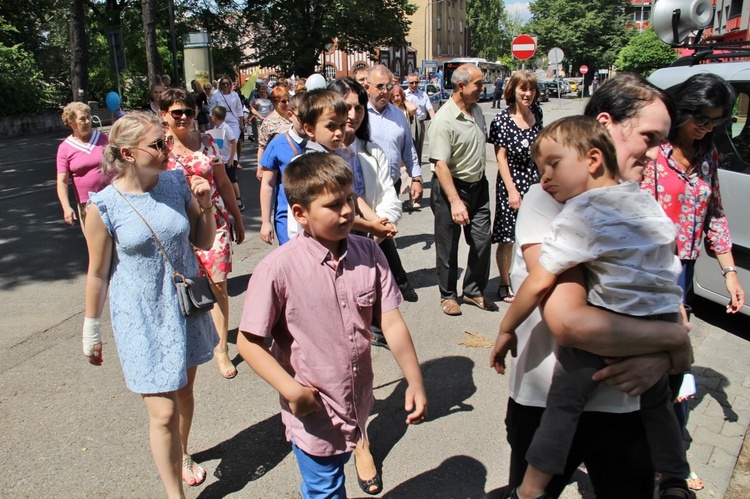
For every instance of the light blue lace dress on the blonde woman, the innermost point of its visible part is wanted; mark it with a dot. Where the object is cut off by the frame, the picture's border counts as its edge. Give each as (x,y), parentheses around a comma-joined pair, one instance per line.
(155,342)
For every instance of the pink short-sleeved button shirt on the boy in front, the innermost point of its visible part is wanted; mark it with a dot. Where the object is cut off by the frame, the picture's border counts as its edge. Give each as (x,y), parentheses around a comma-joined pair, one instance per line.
(319,318)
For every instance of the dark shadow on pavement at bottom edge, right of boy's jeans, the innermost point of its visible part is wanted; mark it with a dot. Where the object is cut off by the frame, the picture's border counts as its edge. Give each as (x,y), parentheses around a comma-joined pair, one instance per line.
(457,476)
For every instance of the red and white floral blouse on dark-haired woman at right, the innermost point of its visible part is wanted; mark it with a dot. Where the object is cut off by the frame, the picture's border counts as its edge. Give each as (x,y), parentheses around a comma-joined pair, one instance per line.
(693,201)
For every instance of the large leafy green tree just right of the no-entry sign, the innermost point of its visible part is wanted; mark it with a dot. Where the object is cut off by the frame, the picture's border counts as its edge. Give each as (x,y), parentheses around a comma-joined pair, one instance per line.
(590,32)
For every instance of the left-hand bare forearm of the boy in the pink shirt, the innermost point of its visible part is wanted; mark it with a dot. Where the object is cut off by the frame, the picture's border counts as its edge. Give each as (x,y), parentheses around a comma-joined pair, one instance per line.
(301,399)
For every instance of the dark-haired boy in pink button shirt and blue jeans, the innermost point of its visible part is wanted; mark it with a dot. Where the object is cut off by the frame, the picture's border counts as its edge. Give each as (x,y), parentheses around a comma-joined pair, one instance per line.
(320,359)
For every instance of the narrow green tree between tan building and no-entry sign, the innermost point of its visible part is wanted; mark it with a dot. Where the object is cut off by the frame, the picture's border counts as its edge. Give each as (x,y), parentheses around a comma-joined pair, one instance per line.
(484,19)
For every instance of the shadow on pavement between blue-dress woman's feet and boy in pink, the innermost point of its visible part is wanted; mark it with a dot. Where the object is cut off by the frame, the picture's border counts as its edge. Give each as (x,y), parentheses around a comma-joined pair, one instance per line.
(246,457)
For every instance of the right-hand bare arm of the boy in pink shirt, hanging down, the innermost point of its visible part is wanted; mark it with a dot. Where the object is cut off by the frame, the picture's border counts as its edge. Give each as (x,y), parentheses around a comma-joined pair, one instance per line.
(399,341)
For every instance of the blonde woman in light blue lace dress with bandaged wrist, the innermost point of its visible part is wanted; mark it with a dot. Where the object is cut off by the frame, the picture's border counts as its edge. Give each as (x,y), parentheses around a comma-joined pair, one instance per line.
(159,348)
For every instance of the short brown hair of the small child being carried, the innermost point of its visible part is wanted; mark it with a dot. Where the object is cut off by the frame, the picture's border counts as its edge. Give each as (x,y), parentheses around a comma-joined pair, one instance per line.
(581,133)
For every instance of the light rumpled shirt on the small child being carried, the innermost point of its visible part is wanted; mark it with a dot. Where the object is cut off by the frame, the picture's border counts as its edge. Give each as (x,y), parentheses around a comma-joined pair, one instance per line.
(626,242)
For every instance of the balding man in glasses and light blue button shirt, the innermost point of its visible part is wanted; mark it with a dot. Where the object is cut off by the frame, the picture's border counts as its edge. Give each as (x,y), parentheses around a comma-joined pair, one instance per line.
(389,128)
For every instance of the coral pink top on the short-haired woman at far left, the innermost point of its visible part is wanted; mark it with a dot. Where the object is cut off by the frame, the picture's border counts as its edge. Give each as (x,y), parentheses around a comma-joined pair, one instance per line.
(82,162)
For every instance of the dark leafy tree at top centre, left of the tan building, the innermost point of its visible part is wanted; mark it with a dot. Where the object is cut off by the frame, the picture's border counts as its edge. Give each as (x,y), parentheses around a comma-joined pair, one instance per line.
(292,35)
